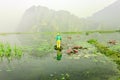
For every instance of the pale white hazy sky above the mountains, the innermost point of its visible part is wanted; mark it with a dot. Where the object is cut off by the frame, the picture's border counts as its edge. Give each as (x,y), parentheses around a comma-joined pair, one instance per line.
(11,11)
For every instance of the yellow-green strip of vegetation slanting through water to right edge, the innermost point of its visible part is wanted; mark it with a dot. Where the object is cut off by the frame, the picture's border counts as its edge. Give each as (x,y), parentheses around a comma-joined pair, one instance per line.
(104,49)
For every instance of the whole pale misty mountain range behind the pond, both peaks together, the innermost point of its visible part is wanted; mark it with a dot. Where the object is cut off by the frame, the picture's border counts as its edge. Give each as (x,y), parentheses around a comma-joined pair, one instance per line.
(41,19)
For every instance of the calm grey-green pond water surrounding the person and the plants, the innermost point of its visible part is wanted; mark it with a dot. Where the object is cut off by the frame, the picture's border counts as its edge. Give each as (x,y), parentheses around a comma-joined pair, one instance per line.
(83,66)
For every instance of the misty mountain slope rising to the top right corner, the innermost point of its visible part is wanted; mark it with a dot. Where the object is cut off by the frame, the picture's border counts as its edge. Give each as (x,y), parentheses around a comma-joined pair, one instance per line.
(109,17)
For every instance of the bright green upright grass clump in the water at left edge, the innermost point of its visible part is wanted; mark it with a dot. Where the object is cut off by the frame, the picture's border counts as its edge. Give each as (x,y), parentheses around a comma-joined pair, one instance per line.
(9,52)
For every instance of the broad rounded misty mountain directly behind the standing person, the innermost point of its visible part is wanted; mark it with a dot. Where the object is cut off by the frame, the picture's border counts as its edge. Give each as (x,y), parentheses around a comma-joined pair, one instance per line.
(37,19)
